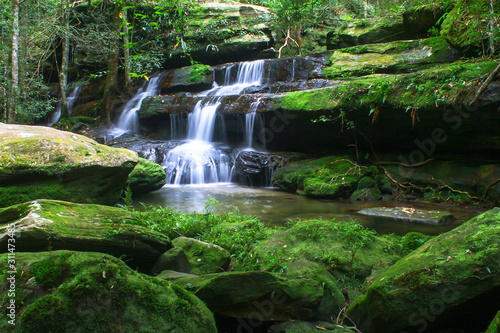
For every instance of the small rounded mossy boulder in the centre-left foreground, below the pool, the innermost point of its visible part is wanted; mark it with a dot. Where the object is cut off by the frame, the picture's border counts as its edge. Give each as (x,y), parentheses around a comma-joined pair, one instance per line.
(205,258)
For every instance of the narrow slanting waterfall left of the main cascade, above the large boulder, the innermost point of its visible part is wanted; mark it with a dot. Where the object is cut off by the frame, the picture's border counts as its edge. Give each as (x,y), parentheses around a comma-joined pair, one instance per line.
(128,120)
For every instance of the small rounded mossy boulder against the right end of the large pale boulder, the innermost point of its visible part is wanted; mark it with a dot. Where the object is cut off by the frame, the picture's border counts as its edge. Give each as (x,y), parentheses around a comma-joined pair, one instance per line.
(146,177)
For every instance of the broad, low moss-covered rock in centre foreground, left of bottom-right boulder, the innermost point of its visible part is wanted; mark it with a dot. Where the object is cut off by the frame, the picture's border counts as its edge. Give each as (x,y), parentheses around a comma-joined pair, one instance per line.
(345,247)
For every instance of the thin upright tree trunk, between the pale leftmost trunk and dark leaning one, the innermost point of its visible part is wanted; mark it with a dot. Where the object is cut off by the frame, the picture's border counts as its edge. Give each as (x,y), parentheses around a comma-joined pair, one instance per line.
(63,71)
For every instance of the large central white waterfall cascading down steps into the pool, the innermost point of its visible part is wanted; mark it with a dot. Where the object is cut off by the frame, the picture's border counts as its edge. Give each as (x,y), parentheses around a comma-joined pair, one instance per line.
(199,161)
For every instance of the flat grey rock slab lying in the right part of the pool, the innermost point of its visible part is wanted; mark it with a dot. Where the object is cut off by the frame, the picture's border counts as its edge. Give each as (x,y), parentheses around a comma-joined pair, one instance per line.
(411,215)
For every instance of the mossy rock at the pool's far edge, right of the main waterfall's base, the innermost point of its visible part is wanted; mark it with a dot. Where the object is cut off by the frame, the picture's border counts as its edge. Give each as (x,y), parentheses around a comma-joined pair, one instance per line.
(331,177)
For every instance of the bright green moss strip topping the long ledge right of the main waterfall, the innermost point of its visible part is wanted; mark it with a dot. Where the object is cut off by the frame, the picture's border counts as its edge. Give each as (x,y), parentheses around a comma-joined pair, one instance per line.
(437,86)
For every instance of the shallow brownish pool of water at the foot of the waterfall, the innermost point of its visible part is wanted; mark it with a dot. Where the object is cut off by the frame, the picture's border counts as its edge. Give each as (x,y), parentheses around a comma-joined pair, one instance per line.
(274,206)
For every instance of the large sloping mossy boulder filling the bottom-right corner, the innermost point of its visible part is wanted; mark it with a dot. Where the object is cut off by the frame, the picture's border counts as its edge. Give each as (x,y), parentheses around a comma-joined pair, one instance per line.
(451,278)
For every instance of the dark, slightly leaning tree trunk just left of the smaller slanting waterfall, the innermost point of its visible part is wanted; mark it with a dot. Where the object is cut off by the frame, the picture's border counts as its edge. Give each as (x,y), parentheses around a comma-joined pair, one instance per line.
(110,87)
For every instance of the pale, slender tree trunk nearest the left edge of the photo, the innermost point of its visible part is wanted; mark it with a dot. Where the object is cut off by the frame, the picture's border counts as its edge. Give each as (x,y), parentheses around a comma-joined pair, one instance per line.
(14,87)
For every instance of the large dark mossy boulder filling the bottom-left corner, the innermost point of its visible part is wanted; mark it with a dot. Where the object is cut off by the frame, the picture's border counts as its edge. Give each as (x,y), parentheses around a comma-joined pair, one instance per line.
(65,291)
